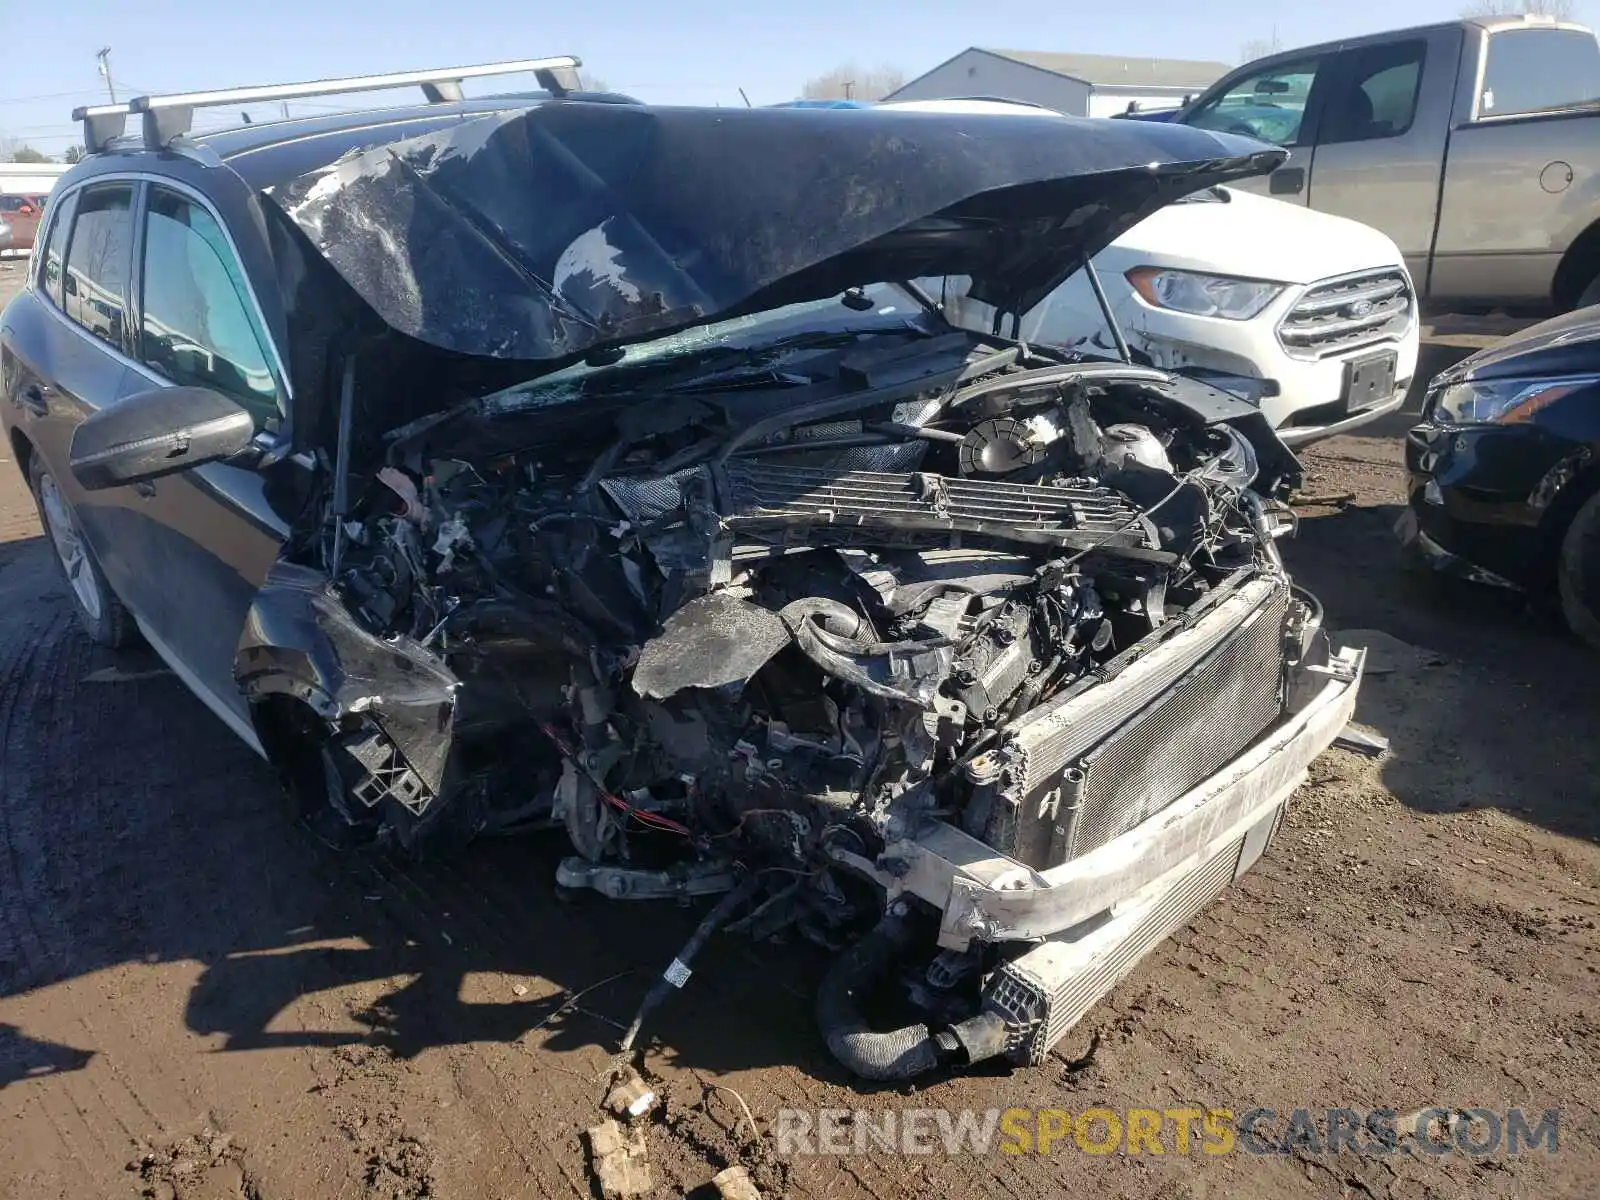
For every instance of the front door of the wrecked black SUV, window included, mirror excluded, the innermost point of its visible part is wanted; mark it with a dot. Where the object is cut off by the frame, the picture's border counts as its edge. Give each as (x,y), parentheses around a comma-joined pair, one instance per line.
(209,535)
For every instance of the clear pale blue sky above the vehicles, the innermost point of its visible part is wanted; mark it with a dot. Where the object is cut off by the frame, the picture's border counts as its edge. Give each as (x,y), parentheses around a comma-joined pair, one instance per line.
(665,52)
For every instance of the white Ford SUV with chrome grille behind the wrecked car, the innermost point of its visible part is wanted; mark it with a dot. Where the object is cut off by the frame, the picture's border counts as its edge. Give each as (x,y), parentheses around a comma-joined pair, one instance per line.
(1306,314)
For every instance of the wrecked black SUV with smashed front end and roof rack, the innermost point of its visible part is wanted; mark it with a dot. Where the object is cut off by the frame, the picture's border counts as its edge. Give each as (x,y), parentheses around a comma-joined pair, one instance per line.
(564,462)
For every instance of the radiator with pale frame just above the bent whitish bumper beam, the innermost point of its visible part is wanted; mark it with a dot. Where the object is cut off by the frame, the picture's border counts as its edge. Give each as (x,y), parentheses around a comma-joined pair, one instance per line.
(1098,761)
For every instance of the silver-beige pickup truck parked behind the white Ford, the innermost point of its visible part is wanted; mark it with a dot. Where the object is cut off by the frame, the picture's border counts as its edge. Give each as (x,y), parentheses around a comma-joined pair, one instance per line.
(1474,145)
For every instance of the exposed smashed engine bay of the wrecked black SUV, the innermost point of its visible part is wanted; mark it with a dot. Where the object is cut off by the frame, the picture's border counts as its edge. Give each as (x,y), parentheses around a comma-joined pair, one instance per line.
(761,623)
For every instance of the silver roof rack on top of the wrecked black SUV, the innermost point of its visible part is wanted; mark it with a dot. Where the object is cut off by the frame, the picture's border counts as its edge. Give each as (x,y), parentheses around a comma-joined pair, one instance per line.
(169,118)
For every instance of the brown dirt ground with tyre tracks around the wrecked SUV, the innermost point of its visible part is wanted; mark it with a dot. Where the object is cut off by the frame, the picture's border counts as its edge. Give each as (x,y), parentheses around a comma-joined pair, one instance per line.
(199,1001)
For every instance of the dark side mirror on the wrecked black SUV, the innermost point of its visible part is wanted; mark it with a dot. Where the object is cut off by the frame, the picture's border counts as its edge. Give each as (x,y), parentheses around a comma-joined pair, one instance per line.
(158,433)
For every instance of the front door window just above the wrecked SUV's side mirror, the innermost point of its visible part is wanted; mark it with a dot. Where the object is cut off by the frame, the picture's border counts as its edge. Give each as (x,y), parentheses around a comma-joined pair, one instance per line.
(199,326)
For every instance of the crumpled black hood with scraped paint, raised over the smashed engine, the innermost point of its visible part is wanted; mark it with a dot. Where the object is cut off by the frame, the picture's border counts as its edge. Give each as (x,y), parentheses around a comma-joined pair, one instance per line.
(551,233)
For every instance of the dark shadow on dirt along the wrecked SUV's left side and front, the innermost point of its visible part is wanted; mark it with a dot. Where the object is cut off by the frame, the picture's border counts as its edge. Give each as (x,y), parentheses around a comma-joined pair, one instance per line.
(138,831)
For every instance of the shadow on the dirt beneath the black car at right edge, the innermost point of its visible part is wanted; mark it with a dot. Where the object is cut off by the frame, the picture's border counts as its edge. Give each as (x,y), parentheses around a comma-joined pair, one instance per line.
(1486,697)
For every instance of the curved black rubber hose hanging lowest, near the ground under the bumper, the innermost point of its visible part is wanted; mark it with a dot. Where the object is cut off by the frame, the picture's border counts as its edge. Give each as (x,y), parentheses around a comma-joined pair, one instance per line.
(895,1055)
